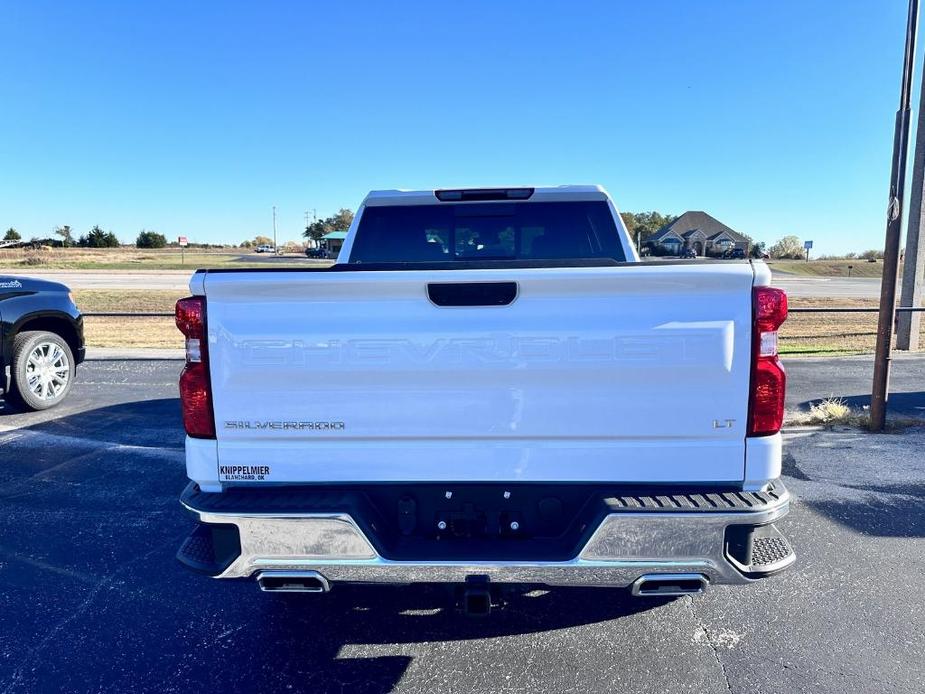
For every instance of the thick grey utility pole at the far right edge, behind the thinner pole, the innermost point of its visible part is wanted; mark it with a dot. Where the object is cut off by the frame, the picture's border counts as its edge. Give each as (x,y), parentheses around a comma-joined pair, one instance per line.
(908,323)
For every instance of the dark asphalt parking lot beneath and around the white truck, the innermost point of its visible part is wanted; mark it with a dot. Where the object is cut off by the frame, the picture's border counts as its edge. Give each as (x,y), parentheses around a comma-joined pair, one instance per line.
(91,598)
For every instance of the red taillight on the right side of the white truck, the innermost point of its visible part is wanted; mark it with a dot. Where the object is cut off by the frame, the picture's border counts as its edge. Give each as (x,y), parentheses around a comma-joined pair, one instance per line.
(768,380)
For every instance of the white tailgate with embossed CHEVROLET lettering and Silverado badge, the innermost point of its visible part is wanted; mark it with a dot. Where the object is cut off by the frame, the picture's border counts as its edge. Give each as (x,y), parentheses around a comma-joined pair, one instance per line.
(630,373)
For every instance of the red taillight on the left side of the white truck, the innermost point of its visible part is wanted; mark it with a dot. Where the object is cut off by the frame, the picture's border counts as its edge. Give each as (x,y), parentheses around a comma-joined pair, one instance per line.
(195,386)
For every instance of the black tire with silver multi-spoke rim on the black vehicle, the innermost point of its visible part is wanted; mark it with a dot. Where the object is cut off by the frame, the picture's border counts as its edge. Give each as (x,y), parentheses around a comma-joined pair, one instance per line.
(42,371)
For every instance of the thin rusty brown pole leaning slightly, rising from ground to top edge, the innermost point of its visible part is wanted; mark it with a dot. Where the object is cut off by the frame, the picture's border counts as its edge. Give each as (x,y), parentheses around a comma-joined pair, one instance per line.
(881,383)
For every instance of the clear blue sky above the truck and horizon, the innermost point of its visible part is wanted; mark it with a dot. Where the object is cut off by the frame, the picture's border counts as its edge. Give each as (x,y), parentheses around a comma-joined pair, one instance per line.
(195,118)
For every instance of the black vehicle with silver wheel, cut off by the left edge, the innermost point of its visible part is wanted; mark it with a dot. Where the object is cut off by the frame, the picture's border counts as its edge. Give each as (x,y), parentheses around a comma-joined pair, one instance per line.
(41,341)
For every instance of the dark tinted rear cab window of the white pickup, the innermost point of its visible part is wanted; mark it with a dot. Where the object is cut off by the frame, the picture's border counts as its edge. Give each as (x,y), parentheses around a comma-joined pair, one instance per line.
(442,232)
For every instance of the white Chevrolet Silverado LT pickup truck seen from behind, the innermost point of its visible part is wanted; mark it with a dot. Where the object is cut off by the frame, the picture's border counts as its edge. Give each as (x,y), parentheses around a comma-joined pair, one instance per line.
(488,388)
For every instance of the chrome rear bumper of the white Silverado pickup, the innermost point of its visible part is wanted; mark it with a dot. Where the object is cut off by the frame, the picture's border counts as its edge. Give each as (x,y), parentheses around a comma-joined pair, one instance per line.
(636,539)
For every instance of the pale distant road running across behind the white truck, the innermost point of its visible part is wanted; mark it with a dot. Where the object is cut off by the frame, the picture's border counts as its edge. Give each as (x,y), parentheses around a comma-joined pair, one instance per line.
(838,287)
